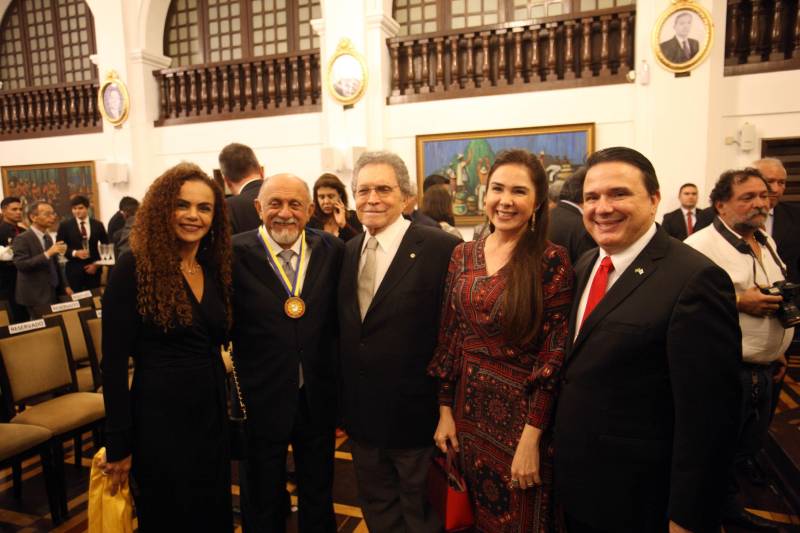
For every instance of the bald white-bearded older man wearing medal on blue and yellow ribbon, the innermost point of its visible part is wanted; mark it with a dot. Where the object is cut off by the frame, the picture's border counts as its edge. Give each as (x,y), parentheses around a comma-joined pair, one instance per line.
(284,350)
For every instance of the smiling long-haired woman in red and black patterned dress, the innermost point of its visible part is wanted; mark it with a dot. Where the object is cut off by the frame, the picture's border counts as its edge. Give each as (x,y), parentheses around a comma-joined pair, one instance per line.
(501,345)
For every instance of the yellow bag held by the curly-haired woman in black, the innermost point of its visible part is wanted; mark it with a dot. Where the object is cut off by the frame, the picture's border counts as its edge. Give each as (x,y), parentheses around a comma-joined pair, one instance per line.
(107,513)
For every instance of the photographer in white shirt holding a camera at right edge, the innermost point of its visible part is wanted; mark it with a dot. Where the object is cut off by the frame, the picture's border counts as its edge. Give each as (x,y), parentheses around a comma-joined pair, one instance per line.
(736,242)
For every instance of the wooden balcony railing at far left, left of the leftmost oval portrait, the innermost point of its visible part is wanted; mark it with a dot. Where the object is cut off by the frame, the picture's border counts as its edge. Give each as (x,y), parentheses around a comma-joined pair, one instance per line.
(47,111)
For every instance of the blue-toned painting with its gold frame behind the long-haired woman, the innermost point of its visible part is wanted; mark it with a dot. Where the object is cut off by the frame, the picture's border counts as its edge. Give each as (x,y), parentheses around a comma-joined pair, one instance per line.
(465,159)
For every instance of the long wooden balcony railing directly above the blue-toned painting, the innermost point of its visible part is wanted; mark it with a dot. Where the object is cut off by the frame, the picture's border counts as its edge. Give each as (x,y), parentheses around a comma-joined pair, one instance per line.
(591,48)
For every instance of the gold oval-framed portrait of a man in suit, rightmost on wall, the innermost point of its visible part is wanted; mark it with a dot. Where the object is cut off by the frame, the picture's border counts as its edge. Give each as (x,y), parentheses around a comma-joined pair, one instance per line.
(682,36)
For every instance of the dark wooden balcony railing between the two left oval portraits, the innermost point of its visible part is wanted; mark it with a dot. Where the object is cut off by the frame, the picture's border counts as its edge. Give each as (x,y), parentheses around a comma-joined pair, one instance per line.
(274,85)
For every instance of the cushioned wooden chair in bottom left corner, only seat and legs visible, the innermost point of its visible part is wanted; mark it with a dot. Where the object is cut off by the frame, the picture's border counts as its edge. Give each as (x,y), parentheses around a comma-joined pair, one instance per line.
(19,442)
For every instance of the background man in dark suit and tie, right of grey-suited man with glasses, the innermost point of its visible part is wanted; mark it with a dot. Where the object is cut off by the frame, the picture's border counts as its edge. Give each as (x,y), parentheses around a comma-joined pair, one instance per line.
(81,235)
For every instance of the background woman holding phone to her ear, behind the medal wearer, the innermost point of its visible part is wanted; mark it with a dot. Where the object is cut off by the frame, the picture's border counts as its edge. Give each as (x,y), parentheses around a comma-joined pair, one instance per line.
(330,209)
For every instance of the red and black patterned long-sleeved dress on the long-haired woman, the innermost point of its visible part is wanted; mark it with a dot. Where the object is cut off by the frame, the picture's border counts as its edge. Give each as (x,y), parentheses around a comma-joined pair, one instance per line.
(495,388)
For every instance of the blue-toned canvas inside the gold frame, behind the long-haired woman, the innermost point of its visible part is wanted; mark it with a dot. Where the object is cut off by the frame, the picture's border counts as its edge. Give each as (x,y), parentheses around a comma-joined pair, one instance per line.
(466,162)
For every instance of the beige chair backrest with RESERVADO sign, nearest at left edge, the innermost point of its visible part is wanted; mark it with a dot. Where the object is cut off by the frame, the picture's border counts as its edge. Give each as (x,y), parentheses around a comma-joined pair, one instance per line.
(35,359)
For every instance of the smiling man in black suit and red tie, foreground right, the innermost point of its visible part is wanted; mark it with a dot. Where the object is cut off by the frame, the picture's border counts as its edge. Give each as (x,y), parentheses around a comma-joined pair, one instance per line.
(647,415)
